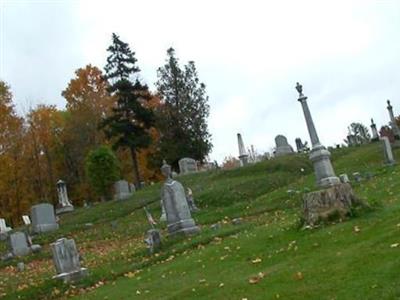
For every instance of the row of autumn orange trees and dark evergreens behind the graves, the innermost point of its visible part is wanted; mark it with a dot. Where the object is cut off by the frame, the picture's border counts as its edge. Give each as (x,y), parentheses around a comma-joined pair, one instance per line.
(106,111)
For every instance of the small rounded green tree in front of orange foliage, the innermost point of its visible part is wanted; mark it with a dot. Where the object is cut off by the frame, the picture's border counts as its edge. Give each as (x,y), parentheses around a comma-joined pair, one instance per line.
(102,169)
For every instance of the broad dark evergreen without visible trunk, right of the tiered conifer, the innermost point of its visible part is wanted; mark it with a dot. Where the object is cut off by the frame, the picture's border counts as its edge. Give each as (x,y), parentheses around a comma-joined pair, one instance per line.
(183,116)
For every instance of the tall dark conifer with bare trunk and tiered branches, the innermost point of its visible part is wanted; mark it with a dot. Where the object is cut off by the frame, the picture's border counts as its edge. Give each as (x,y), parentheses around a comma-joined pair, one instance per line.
(130,120)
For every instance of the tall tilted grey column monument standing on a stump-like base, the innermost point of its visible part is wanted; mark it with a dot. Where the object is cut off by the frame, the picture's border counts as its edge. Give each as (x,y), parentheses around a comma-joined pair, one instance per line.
(319,156)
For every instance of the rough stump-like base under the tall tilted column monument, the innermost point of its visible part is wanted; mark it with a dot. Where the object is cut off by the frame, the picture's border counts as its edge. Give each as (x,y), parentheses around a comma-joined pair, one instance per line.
(328,204)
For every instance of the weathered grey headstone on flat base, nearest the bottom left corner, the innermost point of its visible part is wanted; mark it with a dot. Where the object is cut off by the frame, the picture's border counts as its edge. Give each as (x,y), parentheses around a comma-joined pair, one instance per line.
(66,260)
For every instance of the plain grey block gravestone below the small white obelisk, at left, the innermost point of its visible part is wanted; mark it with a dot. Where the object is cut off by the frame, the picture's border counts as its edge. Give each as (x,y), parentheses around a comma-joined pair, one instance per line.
(43,218)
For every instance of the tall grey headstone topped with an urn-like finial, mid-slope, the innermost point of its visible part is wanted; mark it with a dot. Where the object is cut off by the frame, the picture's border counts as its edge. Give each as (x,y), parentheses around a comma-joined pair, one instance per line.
(179,219)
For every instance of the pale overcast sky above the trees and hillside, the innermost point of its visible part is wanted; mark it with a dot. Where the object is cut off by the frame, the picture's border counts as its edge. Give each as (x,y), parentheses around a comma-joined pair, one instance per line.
(248,53)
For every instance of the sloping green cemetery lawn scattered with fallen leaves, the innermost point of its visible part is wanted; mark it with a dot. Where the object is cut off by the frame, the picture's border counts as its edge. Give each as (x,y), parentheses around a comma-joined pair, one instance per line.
(267,256)
